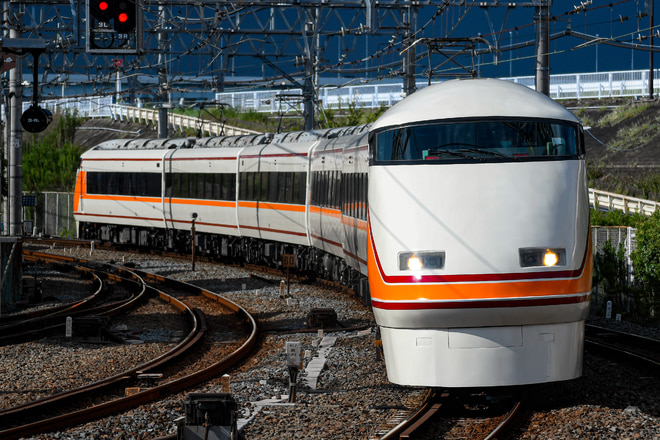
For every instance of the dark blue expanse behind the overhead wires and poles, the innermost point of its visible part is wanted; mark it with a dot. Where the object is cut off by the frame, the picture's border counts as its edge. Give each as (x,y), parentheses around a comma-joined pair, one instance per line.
(615,22)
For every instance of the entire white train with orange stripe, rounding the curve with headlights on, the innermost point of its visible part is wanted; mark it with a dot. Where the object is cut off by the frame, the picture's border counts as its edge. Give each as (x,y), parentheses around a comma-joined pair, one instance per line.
(465,206)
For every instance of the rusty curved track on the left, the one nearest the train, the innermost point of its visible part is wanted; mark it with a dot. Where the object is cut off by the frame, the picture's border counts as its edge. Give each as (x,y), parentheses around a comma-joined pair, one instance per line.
(64,409)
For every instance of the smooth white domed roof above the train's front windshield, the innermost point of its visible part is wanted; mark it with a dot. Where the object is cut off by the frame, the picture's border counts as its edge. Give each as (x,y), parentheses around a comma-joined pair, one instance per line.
(468,98)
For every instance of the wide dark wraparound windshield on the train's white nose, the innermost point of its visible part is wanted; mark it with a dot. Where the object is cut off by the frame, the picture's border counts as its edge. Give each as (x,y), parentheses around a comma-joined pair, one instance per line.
(491,140)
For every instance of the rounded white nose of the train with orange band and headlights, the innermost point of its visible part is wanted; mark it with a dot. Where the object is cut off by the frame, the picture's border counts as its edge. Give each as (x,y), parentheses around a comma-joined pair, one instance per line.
(479,249)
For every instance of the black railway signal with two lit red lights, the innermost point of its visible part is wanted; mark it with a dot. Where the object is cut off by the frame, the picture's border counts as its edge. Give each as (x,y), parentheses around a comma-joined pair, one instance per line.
(113,26)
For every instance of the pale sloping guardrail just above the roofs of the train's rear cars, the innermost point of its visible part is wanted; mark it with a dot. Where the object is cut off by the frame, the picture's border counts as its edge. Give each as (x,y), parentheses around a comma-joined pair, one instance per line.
(177,122)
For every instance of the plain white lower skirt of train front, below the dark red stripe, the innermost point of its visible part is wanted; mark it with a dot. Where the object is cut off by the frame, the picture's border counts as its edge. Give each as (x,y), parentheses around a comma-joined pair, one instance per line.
(484,356)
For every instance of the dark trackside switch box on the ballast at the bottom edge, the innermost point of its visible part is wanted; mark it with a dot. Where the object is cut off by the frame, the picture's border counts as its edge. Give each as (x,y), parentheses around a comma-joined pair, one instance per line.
(209,416)
